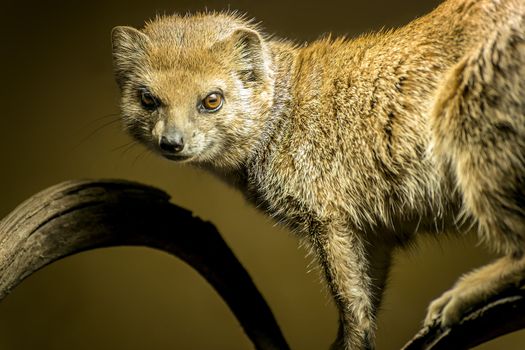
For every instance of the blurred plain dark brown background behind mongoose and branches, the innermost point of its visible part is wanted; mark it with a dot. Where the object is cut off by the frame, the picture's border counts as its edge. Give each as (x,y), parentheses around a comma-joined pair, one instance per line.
(59,121)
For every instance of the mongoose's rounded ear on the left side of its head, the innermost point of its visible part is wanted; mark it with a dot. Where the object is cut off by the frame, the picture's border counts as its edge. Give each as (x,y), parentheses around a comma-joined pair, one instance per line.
(129,45)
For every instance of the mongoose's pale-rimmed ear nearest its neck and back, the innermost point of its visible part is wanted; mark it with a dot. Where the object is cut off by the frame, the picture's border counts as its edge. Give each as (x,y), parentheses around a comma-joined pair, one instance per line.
(252,55)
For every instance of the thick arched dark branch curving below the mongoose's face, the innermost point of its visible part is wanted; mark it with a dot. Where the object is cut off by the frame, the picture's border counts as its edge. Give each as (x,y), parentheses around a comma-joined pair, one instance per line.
(77,216)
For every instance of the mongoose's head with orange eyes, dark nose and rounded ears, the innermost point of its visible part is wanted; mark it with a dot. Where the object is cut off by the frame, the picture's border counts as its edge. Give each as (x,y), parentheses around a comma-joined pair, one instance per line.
(195,88)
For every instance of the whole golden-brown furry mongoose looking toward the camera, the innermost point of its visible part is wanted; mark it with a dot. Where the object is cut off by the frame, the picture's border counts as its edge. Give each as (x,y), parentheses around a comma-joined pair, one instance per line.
(357,145)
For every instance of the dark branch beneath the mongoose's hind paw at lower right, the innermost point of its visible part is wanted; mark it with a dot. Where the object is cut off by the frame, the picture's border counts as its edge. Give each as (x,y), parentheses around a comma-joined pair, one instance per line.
(502,315)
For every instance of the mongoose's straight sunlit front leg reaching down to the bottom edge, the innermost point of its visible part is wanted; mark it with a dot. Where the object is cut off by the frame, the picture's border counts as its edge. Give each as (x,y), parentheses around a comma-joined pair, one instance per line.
(355,280)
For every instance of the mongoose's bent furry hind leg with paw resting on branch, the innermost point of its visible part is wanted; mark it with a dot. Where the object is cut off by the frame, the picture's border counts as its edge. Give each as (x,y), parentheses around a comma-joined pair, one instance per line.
(479,134)
